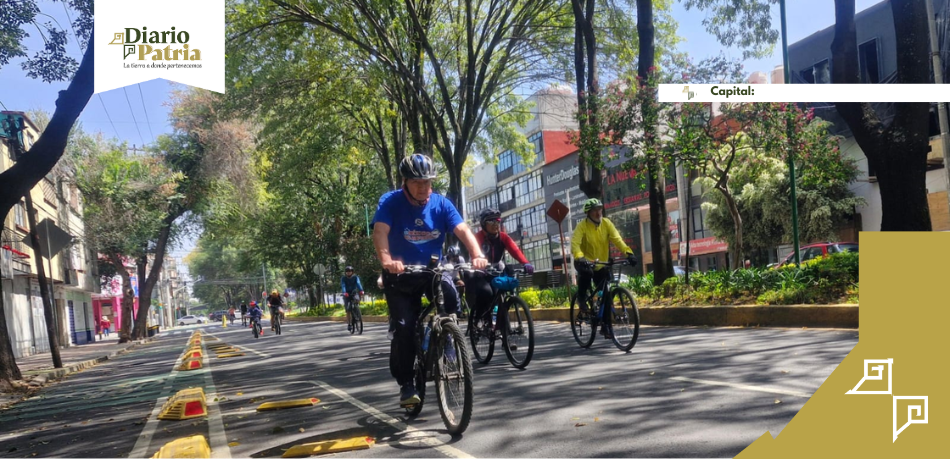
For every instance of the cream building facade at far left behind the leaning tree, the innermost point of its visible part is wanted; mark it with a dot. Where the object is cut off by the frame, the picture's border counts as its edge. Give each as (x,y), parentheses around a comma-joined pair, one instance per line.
(71,269)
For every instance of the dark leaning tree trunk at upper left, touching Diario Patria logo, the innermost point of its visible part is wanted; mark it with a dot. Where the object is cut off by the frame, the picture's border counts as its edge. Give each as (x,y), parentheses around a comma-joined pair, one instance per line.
(18,180)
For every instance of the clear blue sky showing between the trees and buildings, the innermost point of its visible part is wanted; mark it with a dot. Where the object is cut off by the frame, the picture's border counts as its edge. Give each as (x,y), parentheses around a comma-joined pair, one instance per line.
(138,113)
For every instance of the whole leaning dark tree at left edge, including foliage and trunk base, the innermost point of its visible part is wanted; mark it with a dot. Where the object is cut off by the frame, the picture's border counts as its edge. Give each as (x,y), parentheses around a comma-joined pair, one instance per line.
(51,64)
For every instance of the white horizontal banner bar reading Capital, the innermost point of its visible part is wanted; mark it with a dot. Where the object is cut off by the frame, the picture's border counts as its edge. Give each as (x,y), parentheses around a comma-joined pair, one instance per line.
(746,92)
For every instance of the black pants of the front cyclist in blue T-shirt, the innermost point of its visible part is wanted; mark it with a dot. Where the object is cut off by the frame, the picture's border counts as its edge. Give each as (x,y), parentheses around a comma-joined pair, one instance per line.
(404,298)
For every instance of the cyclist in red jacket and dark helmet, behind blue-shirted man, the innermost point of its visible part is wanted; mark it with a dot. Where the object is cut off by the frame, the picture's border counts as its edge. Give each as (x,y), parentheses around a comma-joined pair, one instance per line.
(494,243)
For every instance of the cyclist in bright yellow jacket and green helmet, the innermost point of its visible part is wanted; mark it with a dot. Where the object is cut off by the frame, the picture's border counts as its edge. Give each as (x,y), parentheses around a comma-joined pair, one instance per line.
(591,241)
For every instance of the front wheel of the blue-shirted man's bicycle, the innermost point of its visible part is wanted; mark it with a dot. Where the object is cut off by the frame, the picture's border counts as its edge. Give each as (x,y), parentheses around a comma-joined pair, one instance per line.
(453,383)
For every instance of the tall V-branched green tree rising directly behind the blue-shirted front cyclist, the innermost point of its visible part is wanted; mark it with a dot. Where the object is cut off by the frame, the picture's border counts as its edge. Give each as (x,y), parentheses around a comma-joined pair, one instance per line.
(451,62)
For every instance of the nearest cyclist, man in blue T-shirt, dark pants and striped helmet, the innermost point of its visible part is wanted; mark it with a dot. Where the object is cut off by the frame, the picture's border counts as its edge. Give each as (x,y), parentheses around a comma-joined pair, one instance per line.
(410,226)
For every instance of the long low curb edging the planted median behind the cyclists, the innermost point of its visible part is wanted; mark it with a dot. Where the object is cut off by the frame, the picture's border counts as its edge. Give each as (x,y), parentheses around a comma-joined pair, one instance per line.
(802,315)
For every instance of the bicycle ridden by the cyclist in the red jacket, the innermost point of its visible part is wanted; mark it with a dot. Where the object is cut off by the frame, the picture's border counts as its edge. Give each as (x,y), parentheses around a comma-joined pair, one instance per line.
(510,313)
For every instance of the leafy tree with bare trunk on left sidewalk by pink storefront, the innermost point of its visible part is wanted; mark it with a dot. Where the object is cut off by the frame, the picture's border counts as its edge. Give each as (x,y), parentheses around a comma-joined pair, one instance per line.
(125,205)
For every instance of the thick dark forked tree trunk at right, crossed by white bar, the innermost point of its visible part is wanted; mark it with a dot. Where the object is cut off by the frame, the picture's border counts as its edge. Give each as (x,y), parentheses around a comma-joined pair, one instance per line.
(897,153)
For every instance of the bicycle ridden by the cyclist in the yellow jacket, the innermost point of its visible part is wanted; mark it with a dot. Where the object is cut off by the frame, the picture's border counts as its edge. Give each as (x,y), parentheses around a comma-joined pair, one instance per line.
(620,322)
